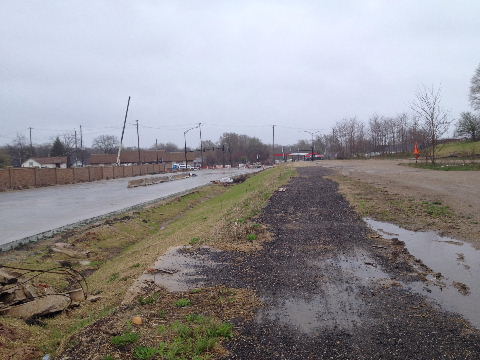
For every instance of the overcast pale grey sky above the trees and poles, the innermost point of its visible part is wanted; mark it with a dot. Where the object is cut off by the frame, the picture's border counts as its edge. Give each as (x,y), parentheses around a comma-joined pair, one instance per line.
(232,65)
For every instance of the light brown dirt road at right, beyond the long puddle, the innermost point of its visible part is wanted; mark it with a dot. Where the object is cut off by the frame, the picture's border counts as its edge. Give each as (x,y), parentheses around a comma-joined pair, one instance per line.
(459,189)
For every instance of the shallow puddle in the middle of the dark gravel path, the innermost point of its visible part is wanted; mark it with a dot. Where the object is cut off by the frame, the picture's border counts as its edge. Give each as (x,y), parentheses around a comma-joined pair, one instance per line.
(338,306)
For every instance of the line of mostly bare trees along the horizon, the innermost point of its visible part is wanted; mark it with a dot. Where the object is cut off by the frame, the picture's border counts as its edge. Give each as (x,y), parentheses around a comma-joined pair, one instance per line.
(425,125)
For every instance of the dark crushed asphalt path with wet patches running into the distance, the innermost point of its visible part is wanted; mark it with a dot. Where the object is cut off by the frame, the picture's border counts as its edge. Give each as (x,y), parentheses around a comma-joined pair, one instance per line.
(329,291)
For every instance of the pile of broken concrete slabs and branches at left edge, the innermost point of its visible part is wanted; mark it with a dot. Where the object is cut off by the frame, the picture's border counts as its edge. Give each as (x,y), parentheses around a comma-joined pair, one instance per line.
(24,296)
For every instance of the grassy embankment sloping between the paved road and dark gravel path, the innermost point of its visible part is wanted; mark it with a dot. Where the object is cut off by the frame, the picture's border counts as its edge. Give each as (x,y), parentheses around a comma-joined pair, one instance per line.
(118,250)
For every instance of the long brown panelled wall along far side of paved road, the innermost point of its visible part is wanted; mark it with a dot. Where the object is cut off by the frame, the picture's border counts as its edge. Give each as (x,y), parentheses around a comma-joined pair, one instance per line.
(22,178)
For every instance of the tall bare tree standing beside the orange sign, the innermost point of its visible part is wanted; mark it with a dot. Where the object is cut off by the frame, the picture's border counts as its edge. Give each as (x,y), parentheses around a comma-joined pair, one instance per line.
(433,119)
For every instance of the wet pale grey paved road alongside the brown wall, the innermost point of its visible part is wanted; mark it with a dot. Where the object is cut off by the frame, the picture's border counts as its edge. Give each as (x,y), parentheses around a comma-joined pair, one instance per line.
(27,213)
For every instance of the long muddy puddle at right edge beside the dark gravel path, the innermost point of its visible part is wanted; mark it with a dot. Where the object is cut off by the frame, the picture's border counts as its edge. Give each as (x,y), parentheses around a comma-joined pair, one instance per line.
(457,261)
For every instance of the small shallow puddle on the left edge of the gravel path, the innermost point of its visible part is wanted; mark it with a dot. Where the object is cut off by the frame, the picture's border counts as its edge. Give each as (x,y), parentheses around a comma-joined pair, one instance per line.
(179,268)
